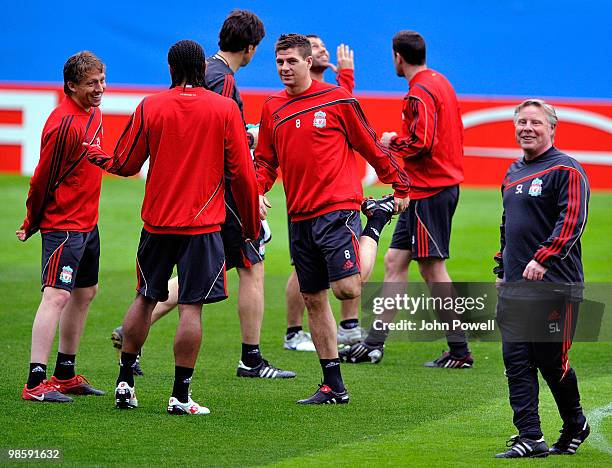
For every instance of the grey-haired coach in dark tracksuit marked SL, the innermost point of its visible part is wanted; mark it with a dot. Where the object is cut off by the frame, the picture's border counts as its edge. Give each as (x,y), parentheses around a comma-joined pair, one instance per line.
(545,199)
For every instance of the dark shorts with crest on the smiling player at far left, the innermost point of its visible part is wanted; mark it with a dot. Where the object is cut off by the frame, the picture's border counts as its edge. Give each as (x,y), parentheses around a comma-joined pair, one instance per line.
(70,259)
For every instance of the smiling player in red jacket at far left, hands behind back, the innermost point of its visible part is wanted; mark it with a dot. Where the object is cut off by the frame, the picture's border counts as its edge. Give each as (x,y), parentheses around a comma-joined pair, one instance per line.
(63,205)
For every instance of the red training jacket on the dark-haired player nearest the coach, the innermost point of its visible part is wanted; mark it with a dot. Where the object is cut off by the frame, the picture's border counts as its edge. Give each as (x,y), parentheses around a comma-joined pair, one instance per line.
(431,142)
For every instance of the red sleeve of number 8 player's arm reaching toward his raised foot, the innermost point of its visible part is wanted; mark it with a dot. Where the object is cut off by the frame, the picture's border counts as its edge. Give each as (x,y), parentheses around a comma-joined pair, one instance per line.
(363,138)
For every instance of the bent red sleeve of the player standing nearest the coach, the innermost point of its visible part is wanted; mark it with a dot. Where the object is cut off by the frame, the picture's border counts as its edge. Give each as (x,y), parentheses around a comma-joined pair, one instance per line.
(418,129)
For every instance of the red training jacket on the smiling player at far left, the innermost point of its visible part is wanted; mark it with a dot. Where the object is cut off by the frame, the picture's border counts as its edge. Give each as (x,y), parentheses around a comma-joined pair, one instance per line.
(65,189)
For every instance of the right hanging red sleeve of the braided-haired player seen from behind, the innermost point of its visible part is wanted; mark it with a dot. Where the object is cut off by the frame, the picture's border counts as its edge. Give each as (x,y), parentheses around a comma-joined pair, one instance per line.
(239,167)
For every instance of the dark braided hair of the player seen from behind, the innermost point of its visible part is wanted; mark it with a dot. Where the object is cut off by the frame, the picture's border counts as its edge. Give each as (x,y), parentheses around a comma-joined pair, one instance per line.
(187,63)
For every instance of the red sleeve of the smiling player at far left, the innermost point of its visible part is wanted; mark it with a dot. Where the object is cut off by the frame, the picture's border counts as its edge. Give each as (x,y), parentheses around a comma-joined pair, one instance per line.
(57,142)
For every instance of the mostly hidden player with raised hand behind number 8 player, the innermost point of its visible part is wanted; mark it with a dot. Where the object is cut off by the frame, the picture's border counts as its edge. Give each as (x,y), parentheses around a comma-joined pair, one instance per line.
(349,331)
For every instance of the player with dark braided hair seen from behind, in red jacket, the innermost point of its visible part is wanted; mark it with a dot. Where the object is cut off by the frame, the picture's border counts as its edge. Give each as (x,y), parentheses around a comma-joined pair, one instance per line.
(192,137)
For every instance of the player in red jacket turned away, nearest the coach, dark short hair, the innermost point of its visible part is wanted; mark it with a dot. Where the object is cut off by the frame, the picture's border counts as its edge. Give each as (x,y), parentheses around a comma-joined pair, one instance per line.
(431,146)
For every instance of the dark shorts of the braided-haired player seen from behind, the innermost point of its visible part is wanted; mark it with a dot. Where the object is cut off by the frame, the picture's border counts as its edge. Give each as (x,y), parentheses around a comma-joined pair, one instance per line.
(200,265)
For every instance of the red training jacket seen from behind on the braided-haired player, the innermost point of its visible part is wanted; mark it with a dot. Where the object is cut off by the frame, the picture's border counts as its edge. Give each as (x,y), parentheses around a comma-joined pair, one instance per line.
(190,136)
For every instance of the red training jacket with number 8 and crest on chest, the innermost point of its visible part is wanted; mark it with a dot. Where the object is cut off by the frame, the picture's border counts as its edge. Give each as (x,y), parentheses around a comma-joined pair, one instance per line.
(311,137)
